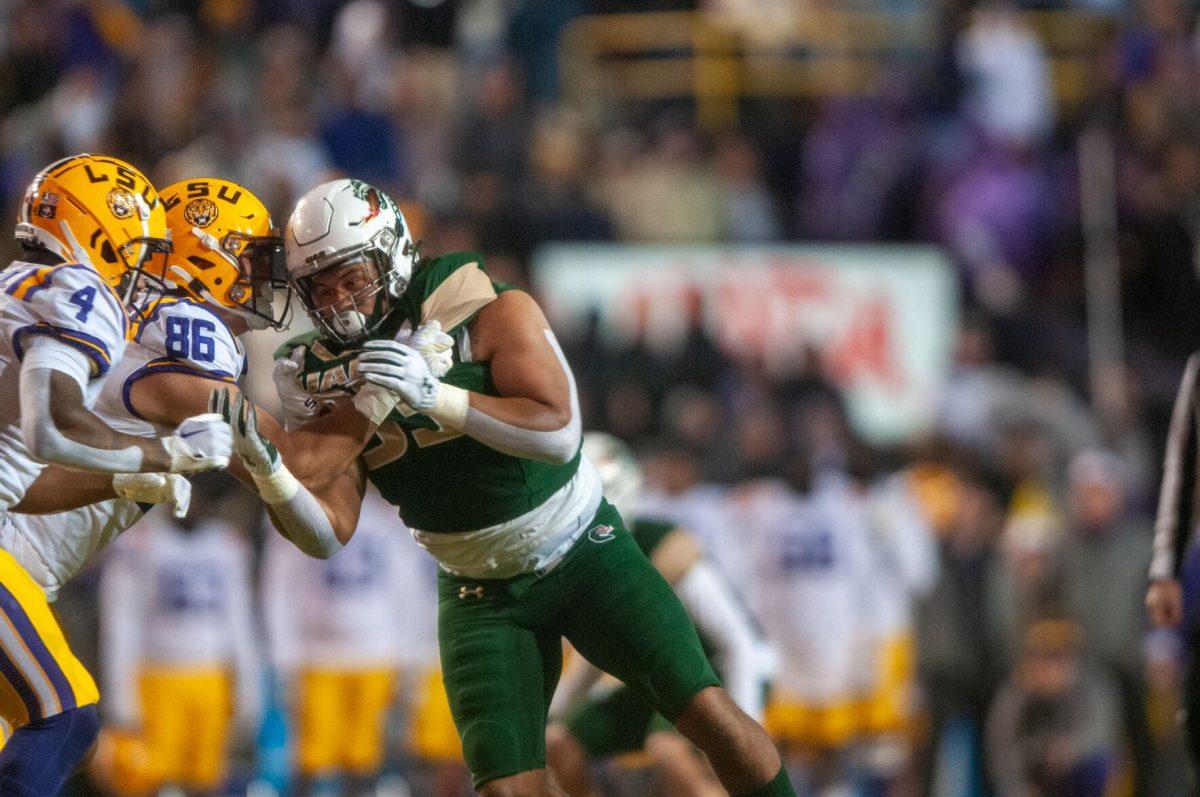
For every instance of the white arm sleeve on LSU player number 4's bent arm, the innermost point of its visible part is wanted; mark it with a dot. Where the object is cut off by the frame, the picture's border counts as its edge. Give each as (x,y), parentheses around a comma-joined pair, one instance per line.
(44,440)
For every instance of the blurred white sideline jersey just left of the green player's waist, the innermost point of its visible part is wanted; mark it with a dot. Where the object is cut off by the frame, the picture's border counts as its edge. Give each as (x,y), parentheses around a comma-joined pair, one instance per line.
(373,604)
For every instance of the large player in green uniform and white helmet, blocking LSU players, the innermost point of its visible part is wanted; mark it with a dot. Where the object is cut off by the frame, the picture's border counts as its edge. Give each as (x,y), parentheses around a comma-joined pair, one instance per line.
(481,453)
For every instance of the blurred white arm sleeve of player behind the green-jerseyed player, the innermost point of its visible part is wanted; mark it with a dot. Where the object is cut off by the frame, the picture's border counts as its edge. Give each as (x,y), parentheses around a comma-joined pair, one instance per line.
(716,610)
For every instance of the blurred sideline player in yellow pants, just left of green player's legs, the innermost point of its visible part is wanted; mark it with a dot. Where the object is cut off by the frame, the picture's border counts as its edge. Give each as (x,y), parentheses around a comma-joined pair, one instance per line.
(335,630)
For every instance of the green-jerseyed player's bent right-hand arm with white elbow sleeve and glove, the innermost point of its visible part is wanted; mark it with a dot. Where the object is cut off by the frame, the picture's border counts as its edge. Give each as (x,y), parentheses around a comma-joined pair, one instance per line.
(537,415)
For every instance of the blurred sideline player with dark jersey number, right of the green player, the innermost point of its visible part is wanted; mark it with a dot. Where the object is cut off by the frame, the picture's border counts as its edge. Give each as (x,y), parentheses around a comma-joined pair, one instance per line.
(815,562)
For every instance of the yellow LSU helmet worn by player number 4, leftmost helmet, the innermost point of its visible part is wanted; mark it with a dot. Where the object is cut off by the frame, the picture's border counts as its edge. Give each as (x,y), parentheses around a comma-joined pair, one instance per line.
(100,212)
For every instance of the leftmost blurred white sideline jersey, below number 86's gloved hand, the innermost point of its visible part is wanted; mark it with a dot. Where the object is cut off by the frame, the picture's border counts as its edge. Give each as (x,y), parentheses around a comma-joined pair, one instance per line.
(179,600)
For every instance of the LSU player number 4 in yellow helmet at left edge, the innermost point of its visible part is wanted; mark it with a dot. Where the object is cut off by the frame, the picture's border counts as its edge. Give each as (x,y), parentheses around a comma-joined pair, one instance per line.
(88,224)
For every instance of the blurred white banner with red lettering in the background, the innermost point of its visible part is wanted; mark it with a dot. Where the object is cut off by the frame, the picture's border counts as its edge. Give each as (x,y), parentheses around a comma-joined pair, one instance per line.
(881,317)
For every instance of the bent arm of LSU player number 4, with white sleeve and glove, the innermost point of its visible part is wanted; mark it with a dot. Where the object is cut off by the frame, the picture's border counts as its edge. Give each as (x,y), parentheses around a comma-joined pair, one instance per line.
(58,428)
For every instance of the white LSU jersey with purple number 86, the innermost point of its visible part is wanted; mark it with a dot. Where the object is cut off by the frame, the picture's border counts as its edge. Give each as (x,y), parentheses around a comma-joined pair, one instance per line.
(177,337)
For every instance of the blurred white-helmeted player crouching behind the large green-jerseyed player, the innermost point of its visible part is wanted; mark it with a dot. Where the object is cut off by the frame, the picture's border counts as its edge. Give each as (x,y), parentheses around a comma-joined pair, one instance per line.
(595,721)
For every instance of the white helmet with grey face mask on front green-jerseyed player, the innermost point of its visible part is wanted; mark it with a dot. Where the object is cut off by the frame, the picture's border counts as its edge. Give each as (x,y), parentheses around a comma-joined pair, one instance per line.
(353,225)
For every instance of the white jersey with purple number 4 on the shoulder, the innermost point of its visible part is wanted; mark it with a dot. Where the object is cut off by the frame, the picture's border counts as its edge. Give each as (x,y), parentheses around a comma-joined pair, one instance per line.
(75,307)
